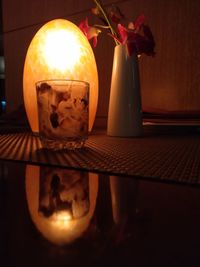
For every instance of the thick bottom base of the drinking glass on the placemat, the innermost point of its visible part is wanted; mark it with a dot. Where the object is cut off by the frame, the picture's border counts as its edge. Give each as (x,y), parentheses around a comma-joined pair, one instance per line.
(70,144)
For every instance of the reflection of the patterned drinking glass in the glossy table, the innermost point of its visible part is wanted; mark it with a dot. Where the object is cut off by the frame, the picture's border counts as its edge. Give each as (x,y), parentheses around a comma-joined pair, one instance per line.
(63,193)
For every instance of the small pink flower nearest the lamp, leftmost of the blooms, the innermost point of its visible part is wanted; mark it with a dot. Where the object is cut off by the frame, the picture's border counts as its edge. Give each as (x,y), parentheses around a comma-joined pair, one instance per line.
(89,31)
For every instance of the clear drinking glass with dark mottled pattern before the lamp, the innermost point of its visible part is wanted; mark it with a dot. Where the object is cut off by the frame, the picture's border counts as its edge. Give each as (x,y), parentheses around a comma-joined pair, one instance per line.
(63,113)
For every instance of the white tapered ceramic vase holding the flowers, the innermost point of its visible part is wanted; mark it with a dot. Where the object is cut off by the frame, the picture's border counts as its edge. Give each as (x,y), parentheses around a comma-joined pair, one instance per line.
(125,114)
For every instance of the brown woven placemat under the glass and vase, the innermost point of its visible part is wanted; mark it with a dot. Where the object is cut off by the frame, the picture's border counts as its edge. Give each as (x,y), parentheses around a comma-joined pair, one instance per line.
(167,158)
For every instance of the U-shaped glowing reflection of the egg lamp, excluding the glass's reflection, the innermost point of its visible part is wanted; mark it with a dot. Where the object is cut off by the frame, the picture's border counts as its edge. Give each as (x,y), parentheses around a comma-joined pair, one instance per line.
(59,230)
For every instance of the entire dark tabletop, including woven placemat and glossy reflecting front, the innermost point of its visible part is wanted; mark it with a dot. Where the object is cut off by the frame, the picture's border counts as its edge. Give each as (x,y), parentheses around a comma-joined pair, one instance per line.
(135,202)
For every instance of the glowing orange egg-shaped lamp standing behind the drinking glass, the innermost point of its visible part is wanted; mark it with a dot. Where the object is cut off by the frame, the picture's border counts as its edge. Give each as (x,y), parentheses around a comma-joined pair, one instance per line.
(59,50)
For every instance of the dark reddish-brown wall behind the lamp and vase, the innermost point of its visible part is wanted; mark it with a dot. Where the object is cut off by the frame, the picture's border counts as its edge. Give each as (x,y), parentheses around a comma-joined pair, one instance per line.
(169,81)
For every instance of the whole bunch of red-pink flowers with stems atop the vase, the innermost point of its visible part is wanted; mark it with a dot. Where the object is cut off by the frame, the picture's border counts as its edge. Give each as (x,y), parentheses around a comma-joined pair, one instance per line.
(137,36)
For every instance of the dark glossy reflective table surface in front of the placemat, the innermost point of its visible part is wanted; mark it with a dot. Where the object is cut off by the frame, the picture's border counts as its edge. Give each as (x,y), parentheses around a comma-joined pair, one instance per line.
(63,217)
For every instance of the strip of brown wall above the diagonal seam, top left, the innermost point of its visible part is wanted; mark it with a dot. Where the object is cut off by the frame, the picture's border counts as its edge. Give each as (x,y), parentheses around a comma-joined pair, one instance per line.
(22,13)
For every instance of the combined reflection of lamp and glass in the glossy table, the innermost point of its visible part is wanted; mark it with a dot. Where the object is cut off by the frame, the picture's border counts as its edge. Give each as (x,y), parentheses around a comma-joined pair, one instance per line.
(60,224)
